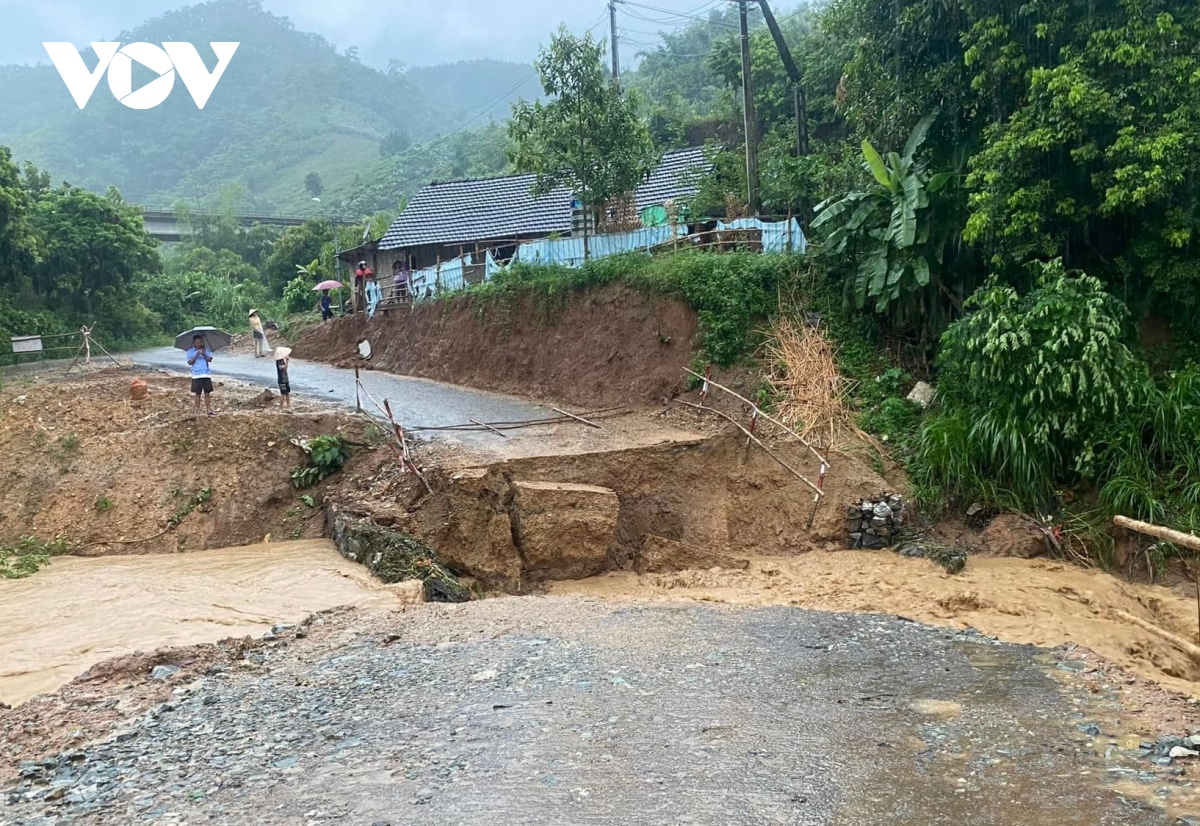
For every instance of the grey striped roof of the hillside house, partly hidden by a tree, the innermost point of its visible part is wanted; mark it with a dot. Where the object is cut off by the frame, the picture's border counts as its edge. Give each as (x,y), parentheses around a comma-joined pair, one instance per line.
(500,208)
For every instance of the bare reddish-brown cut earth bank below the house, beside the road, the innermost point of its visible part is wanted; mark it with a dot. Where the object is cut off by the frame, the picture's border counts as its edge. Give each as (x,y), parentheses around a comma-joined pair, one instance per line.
(610,346)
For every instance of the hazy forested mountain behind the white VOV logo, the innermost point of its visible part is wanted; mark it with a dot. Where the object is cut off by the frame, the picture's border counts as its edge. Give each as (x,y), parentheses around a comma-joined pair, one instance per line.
(290,105)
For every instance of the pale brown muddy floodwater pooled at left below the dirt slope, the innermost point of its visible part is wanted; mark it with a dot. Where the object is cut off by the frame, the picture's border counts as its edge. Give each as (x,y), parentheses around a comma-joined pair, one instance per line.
(80,612)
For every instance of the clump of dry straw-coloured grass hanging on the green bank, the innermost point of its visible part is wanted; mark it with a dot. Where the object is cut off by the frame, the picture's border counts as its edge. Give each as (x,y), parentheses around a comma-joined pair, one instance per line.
(811,390)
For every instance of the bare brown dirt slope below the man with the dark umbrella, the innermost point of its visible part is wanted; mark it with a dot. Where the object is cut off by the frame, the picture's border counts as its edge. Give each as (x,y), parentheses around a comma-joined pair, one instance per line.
(83,463)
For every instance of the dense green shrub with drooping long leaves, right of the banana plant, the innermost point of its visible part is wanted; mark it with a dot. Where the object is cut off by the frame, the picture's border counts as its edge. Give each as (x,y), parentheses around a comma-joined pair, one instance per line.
(1031,388)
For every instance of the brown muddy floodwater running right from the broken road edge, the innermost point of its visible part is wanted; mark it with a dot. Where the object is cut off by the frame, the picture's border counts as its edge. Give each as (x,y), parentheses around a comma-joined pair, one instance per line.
(1039,602)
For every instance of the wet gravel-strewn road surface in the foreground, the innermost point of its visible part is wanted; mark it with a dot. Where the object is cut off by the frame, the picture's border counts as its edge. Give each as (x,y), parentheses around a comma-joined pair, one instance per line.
(568,711)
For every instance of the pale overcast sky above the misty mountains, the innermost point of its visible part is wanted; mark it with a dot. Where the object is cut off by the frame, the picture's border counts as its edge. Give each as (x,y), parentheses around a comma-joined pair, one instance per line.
(419,33)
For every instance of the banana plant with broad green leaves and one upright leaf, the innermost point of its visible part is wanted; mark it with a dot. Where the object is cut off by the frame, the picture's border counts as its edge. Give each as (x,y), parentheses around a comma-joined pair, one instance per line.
(890,230)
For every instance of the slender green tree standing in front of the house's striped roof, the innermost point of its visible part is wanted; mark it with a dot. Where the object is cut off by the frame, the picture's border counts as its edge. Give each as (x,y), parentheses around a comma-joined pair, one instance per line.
(590,137)
